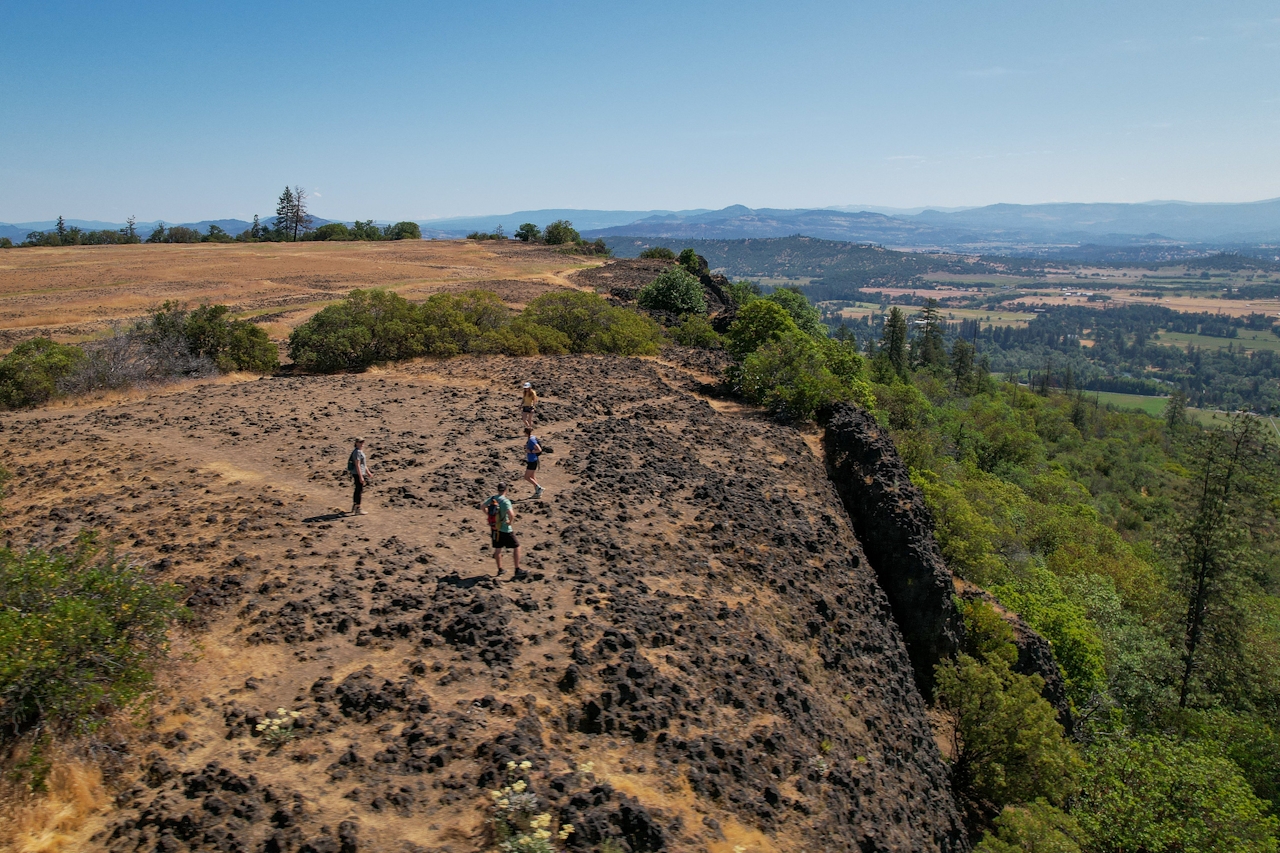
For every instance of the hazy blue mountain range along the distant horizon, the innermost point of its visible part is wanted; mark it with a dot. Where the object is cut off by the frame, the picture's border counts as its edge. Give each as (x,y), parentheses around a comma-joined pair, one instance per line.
(995,229)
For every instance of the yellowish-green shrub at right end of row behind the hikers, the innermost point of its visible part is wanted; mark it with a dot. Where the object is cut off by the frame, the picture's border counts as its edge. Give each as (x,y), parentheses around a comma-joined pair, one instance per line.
(591,325)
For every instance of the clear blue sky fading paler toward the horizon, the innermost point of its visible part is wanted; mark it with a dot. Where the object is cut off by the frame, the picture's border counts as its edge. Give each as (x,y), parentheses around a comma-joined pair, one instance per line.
(188,111)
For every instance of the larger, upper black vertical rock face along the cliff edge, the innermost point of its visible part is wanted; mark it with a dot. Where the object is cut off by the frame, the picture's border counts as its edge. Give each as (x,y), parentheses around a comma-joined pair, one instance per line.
(895,530)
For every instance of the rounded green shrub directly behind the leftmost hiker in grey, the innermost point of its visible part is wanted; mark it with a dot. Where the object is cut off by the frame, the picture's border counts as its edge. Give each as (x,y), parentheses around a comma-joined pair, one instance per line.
(367,329)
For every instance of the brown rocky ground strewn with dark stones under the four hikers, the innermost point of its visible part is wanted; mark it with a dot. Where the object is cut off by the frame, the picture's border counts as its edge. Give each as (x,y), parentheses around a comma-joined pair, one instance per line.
(698,658)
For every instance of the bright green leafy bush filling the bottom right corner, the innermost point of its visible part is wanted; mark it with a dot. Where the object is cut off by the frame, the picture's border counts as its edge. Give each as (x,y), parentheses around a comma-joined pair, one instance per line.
(1156,796)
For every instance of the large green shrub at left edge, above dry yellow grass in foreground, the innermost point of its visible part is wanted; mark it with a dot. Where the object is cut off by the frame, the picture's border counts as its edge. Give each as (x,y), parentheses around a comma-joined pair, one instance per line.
(80,636)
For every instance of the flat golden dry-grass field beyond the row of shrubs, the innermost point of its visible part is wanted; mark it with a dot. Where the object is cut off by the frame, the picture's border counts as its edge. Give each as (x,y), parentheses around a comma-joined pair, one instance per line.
(76,293)
